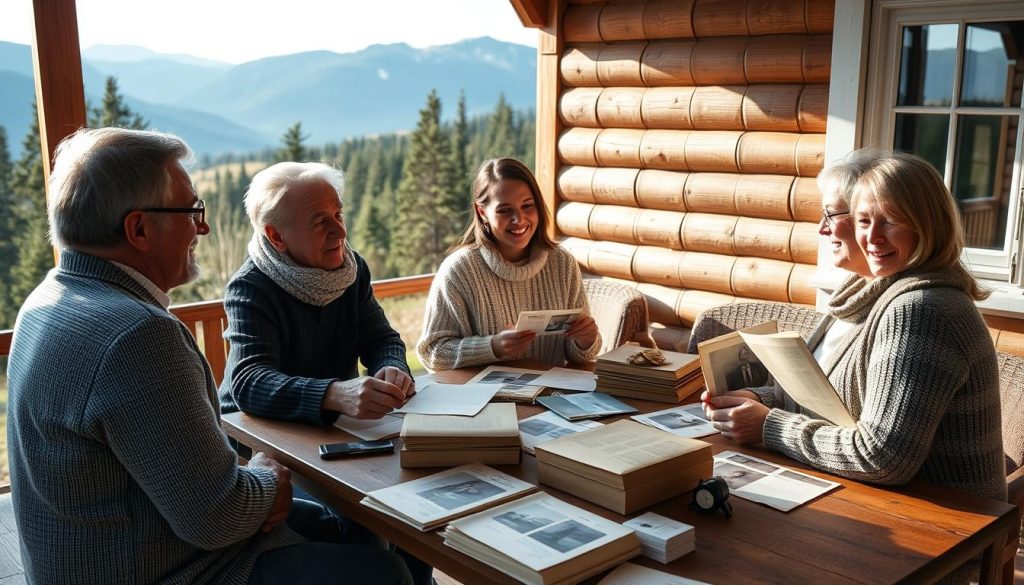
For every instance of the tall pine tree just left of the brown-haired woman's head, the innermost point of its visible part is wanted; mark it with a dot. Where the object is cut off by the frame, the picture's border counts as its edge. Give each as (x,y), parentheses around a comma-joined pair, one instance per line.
(426,220)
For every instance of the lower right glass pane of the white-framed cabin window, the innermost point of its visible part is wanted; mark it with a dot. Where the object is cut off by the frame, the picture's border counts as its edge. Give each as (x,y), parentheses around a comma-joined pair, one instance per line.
(983,174)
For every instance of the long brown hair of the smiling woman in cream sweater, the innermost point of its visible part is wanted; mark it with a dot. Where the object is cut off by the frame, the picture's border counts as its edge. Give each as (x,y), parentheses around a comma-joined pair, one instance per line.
(491,174)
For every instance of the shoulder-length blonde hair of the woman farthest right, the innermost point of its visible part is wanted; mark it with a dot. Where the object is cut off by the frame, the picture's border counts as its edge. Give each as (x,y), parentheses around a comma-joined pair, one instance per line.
(910,189)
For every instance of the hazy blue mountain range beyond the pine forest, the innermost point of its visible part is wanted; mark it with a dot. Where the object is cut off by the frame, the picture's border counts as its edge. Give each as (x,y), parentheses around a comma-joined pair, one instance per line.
(221,108)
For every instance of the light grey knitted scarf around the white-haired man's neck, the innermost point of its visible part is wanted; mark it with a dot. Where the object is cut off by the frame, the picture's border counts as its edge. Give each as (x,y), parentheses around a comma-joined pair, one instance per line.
(313,286)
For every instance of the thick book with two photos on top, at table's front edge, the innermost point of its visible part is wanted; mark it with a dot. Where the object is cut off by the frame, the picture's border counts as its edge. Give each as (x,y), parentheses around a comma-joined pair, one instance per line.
(541,540)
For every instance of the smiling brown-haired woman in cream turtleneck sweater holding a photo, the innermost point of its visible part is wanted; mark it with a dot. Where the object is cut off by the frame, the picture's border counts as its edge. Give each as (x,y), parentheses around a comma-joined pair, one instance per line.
(505,264)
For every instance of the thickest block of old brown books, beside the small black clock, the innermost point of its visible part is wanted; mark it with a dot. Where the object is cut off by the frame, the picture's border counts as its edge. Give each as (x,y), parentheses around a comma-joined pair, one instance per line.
(624,467)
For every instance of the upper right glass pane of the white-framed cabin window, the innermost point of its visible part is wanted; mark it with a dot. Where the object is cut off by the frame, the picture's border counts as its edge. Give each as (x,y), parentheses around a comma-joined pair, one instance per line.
(993,67)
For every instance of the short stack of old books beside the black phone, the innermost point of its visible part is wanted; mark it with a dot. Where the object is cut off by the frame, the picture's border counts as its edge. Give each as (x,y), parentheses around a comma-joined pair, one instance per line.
(443,441)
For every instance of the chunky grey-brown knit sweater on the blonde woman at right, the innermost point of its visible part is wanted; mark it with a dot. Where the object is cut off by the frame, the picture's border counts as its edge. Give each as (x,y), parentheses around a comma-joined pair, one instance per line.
(919,372)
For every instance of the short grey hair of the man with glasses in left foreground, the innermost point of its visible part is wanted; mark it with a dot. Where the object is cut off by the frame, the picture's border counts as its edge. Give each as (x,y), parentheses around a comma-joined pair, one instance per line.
(102,175)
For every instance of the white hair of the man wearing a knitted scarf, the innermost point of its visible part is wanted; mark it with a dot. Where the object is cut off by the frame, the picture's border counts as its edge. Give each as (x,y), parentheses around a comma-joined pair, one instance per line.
(265,199)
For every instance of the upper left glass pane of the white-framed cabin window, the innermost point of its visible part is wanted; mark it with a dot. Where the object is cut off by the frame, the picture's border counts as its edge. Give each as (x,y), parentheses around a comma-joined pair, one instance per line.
(928,60)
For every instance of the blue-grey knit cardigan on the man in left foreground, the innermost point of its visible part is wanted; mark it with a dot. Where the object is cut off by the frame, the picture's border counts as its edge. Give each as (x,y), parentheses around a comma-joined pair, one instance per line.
(120,472)
